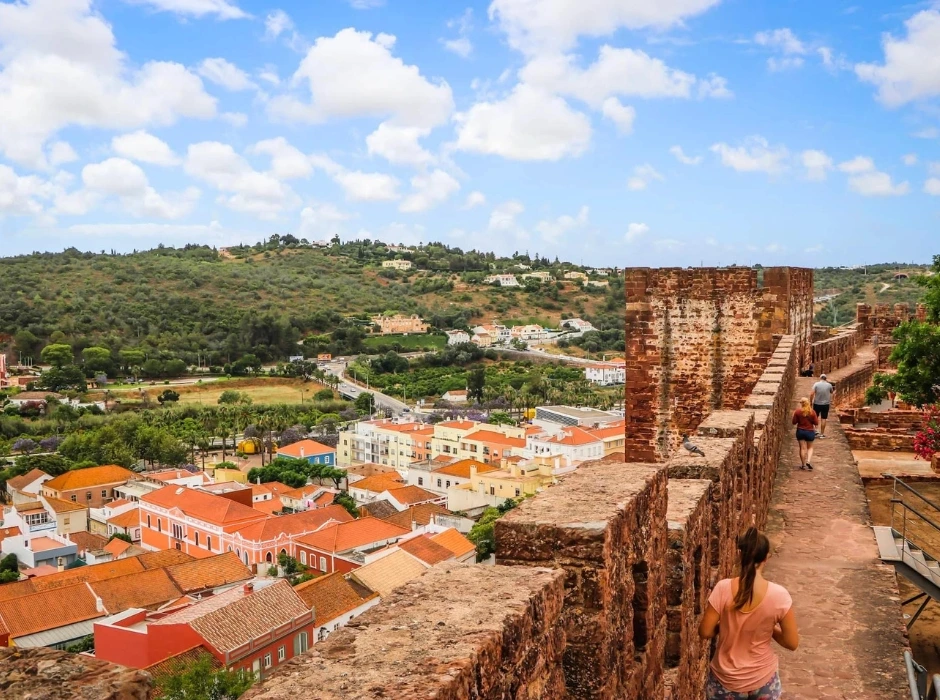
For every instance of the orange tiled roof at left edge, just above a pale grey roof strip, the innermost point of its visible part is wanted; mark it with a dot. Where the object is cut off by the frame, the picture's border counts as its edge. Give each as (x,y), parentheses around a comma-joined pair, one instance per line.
(38,612)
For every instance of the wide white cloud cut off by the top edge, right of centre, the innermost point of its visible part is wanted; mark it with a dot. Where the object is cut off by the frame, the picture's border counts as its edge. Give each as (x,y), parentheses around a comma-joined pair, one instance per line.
(532,25)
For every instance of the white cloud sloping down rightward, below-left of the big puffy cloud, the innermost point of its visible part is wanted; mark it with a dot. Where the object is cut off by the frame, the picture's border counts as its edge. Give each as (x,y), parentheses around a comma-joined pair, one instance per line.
(247,189)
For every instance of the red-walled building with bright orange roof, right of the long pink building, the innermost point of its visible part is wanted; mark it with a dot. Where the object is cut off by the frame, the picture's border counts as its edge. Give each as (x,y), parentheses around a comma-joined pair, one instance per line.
(342,547)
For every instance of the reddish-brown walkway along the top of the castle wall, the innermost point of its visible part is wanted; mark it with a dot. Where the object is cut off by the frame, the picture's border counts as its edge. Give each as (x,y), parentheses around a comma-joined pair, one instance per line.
(846,601)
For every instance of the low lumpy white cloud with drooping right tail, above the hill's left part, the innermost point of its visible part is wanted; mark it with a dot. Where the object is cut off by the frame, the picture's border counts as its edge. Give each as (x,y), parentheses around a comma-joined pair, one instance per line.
(121,178)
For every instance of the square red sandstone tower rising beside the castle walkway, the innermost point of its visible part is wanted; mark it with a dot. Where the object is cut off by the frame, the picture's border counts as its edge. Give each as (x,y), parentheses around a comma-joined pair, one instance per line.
(697,341)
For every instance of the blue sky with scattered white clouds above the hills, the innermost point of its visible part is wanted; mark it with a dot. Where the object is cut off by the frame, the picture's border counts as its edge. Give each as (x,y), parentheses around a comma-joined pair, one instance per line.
(620,132)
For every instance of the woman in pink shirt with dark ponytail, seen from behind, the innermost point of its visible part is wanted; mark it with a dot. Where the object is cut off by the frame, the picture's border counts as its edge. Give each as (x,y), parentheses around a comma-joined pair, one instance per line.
(747,613)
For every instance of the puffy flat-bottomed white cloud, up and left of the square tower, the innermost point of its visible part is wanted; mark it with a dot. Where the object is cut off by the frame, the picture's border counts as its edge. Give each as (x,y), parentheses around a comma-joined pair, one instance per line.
(529,124)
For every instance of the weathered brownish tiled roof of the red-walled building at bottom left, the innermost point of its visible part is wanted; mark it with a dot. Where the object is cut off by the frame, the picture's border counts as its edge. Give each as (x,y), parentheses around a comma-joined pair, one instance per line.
(230,619)
